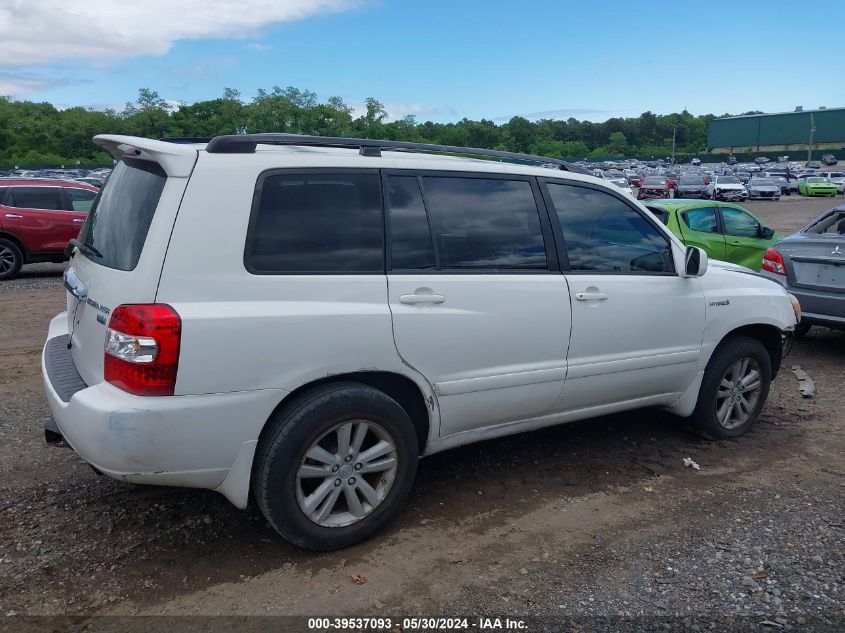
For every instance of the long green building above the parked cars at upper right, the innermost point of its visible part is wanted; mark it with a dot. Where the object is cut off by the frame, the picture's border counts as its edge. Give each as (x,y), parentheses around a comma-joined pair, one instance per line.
(788,131)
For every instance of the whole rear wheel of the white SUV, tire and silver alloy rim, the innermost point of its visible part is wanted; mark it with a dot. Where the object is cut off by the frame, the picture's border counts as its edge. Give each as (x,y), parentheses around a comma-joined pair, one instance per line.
(335,466)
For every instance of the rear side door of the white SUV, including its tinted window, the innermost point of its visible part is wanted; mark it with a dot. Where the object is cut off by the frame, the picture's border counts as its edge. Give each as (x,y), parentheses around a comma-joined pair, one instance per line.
(479,306)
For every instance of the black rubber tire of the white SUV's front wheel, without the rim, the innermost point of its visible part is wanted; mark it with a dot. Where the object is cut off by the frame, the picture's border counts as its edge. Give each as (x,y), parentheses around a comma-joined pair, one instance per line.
(704,419)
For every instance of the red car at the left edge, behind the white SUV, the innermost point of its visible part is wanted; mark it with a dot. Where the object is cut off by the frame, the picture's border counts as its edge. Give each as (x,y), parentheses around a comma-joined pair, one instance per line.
(37,220)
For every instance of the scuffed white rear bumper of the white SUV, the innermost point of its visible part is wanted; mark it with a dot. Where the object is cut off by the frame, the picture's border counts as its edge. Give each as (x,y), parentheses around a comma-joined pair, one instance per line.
(191,441)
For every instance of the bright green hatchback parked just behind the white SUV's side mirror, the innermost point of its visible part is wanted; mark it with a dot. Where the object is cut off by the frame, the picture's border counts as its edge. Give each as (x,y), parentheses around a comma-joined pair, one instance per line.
(724,230)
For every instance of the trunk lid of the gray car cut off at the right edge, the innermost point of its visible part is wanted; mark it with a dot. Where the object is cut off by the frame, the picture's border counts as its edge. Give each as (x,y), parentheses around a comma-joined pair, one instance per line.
(817,264)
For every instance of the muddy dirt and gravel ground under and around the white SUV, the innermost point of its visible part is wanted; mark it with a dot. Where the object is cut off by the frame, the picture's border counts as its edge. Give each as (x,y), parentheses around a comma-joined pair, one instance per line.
(598,518)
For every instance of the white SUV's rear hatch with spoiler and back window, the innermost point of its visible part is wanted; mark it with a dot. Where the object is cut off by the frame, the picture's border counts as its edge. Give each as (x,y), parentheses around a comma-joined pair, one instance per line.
(124,241)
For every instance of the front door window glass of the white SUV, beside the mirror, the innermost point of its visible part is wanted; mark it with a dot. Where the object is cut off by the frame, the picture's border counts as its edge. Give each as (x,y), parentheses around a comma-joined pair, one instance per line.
(603,234)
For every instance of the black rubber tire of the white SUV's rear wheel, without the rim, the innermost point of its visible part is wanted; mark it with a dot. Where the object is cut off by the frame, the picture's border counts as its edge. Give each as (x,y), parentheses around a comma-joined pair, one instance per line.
(295,428)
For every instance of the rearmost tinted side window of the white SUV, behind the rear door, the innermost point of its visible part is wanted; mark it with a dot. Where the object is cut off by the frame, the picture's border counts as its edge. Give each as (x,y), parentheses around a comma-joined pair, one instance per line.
(321,223)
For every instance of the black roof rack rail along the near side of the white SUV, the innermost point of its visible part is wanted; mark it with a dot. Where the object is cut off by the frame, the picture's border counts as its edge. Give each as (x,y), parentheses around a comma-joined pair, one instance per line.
(246,143)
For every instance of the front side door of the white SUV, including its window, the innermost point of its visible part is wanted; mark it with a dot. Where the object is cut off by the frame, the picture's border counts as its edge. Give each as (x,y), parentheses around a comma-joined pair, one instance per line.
(636,325)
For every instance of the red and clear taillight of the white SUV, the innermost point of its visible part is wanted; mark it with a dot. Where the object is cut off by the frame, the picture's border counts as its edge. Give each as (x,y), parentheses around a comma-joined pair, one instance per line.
(142,349)
